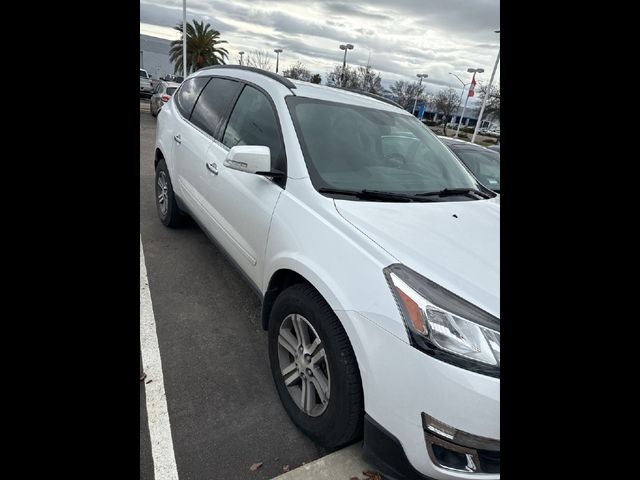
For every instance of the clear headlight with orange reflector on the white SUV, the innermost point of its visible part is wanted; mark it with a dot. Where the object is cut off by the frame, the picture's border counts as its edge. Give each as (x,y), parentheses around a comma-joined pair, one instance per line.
(445,325)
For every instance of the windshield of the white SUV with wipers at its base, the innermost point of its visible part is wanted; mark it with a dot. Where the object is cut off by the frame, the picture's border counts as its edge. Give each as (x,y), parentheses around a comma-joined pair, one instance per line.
(357,148)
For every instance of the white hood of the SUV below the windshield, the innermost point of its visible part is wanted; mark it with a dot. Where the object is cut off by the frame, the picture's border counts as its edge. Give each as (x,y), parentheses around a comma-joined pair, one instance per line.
(455,244)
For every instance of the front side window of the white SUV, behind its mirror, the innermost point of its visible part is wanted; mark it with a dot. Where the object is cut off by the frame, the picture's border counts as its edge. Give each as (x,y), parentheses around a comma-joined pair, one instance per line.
(253,122)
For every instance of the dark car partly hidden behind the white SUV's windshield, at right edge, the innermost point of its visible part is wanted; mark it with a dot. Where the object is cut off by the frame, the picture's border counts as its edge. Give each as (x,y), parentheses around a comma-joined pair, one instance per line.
(483,163)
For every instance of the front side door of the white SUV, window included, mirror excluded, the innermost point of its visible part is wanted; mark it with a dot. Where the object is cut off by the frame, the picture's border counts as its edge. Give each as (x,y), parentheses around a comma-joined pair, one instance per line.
(243,203)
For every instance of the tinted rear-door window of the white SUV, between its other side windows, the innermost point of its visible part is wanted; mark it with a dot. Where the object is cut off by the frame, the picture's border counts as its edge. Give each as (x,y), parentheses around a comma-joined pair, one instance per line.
(214,104)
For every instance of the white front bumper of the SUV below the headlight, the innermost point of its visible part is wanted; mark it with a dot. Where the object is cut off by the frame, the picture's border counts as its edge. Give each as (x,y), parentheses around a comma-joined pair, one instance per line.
(401,383)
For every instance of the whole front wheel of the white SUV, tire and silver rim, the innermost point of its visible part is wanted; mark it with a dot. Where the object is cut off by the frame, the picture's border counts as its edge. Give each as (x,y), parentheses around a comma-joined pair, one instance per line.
(314,367)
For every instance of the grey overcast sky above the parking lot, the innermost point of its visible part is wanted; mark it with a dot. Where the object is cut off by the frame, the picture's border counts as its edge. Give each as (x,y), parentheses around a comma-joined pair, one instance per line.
(403,37)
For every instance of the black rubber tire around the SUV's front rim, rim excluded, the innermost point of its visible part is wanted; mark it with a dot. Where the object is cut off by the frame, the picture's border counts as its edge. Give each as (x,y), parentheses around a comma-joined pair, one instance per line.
(342,421)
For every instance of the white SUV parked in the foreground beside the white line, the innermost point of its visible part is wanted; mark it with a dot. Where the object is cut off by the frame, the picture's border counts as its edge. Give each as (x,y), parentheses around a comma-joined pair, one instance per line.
(375,253)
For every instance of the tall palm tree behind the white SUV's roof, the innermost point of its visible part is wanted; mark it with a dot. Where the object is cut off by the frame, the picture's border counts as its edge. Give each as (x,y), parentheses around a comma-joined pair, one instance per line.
(202,49)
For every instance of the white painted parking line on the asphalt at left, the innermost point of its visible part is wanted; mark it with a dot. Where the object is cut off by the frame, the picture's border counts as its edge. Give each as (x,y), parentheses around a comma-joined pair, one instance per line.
(164,462)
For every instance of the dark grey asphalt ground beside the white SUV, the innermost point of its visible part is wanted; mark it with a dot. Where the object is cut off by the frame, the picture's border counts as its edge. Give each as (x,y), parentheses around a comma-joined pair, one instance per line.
(224,411)
